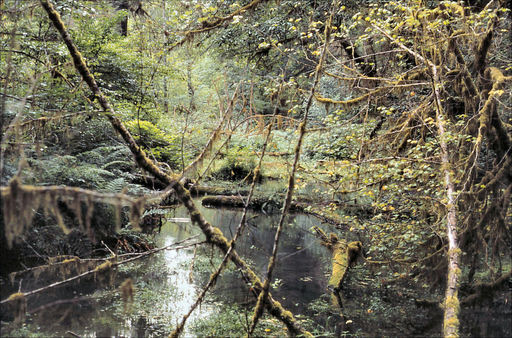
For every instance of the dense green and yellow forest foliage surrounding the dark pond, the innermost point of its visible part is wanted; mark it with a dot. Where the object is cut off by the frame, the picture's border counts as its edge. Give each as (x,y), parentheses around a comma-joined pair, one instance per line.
(411,122)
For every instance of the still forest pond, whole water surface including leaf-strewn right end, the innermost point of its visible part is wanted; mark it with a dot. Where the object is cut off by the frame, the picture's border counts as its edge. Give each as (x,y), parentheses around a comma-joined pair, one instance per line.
(167,284)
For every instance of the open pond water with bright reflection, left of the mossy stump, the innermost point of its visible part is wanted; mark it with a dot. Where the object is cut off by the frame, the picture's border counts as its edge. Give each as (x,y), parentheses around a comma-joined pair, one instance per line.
(167,284)
